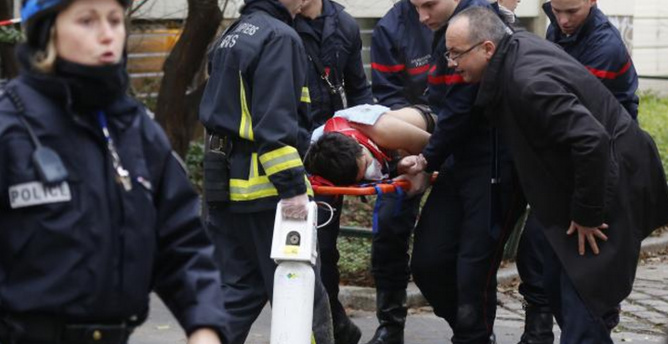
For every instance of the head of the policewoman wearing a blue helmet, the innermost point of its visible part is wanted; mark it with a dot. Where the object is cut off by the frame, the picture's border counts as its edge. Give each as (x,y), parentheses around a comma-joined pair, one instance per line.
(87,32)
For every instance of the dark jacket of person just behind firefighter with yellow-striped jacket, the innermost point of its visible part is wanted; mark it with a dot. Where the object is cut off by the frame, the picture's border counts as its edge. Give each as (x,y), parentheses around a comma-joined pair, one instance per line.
(338,46)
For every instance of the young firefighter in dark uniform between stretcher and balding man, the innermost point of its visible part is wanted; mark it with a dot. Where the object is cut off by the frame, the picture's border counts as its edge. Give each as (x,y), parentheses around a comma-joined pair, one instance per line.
(474,203)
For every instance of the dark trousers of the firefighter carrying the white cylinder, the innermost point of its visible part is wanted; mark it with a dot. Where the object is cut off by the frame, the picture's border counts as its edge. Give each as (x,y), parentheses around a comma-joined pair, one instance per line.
(242,250)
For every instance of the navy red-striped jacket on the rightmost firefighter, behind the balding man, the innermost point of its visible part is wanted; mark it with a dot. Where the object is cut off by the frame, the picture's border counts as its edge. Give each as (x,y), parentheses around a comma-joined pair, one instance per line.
(600,48)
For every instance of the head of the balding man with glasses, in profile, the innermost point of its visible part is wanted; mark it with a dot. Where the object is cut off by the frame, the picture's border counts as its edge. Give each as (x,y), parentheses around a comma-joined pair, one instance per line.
(471,41)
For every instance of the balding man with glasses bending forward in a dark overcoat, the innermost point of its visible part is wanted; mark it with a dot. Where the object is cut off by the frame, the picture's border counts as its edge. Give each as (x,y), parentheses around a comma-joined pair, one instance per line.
(594,179)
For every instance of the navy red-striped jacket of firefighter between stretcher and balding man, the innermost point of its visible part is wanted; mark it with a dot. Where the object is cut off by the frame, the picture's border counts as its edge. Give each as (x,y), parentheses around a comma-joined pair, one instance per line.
(461,130)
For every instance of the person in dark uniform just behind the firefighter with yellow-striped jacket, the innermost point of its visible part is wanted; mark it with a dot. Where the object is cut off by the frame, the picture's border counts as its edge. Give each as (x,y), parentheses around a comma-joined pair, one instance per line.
(336,80)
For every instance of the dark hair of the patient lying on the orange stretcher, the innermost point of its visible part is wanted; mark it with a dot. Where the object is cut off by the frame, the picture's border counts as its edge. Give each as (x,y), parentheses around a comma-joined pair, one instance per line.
(334,157)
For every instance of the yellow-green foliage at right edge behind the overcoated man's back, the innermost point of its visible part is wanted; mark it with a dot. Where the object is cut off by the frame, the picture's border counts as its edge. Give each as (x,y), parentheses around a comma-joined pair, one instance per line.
(653,117)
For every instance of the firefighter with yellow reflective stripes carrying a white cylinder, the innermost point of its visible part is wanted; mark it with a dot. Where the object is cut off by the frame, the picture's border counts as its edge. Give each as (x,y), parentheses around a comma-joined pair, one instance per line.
(255,105)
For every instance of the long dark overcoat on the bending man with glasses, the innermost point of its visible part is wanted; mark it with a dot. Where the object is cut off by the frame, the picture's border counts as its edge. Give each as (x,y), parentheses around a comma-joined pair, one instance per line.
(580,157)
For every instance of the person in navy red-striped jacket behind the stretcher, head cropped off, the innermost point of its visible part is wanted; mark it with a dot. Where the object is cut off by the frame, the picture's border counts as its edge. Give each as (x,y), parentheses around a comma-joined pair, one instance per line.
(400,62)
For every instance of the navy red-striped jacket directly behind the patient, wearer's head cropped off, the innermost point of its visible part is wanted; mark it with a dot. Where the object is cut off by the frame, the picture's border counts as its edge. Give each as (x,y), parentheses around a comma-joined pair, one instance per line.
(400,57)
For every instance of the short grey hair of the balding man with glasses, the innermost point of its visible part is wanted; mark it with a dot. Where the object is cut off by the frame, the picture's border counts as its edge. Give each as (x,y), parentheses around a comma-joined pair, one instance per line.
(484,25)
